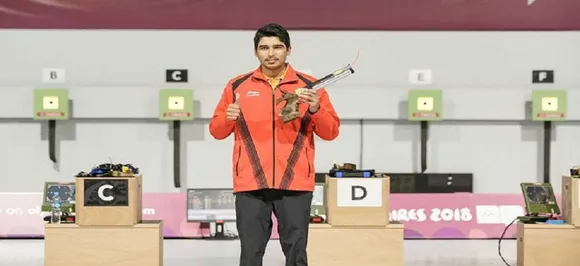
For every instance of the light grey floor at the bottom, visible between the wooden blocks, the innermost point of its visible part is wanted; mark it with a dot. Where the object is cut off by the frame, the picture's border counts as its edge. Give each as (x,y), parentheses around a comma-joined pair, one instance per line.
(224,253)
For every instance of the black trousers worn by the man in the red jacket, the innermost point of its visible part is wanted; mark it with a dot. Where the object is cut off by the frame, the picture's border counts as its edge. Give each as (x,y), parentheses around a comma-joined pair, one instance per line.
(254,222)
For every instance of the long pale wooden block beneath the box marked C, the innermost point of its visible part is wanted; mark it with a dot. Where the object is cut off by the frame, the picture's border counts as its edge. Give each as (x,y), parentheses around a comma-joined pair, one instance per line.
(73,245)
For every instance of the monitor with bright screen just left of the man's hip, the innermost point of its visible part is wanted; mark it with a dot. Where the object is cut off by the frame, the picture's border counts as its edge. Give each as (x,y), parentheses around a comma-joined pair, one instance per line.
(210,205)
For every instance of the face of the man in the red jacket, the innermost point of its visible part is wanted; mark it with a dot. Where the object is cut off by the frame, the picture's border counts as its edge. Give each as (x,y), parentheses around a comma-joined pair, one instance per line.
(272,52)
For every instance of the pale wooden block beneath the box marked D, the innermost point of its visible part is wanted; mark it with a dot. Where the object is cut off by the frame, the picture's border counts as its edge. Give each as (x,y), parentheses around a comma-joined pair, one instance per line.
(357,245)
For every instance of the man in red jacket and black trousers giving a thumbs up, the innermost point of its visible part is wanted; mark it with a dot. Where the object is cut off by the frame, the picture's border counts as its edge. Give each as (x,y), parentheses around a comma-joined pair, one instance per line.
(273,161)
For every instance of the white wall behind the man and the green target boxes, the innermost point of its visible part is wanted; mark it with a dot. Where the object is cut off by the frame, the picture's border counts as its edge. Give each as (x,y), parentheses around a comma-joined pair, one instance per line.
(113,77)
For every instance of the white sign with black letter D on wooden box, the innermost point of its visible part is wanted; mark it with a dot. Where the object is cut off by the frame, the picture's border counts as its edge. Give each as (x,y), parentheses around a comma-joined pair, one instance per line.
(359,192)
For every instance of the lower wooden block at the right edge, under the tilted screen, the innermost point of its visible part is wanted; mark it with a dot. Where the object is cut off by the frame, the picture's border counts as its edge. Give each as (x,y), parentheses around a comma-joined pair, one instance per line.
(548,244)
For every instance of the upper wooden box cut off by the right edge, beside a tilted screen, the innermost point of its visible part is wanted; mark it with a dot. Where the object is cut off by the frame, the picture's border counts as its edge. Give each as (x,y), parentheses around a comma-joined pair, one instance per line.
(570,200)
